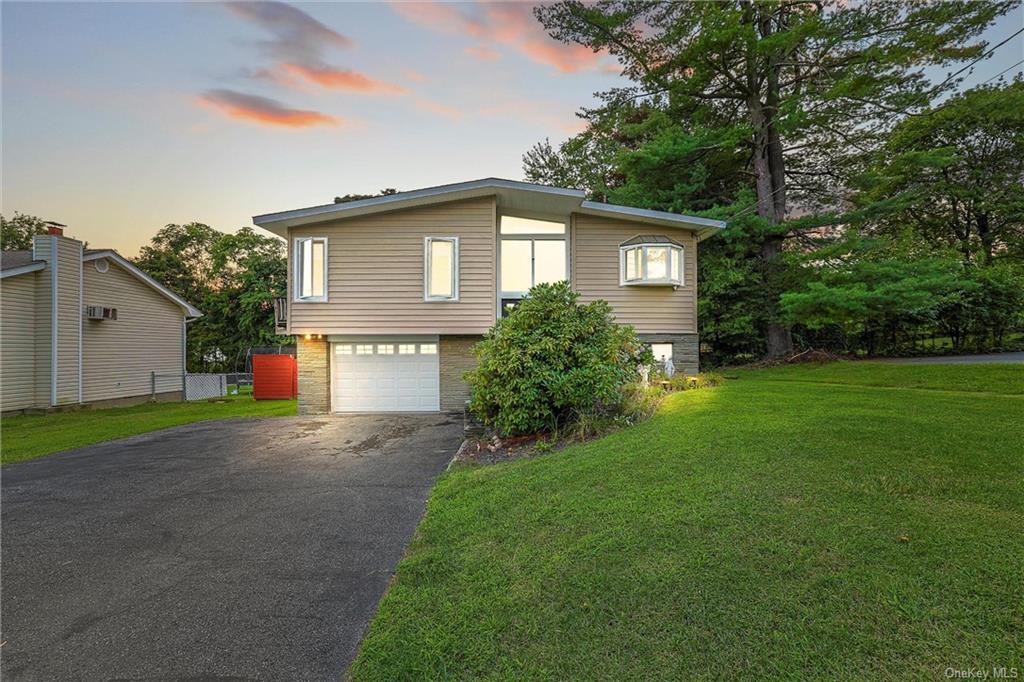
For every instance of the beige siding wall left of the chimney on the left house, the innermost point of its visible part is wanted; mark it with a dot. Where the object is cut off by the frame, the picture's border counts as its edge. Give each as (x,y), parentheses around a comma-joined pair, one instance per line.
(18,343)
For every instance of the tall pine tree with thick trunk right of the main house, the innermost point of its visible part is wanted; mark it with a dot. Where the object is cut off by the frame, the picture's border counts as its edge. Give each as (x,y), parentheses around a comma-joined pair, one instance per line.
(807,82)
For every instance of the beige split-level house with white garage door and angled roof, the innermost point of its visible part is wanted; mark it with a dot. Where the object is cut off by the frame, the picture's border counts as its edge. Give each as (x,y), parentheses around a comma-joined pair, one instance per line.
(389,295)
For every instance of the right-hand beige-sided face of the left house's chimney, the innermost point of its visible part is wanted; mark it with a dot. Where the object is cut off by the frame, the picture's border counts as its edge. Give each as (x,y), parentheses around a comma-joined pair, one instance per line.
(69,257)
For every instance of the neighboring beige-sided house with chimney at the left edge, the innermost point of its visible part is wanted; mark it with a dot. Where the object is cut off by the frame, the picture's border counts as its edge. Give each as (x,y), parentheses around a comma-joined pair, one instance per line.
(84,326)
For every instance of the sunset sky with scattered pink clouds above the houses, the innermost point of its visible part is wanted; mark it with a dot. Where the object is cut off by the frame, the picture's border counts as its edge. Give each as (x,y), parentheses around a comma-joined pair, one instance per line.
(119,118)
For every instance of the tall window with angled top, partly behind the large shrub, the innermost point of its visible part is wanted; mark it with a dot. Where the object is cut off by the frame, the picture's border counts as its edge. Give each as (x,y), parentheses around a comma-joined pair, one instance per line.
(533,252)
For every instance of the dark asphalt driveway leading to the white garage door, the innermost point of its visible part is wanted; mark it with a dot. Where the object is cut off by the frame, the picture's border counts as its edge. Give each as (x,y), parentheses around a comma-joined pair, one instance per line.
(243,549)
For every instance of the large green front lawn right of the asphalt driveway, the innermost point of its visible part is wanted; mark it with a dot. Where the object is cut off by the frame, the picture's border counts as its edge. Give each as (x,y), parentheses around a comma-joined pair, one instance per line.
(796,524)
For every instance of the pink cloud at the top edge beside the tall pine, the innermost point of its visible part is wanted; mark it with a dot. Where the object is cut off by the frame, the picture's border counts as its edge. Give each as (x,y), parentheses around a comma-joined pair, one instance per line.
(509,24)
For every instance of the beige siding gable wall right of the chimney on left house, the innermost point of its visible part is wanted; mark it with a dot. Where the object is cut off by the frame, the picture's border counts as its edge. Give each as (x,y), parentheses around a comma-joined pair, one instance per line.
(120,355)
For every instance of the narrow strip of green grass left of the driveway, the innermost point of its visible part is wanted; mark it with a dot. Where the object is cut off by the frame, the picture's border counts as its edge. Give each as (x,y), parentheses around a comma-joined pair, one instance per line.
(29,437)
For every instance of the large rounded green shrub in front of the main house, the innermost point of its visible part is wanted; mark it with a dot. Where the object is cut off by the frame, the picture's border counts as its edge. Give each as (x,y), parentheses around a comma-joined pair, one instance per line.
(551,362)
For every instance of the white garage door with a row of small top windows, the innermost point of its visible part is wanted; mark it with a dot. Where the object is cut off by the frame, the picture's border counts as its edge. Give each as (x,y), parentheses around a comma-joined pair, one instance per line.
(386,375)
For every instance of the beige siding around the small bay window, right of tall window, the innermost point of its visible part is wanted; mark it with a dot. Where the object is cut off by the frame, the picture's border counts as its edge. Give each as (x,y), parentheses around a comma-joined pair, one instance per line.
(649,310)
